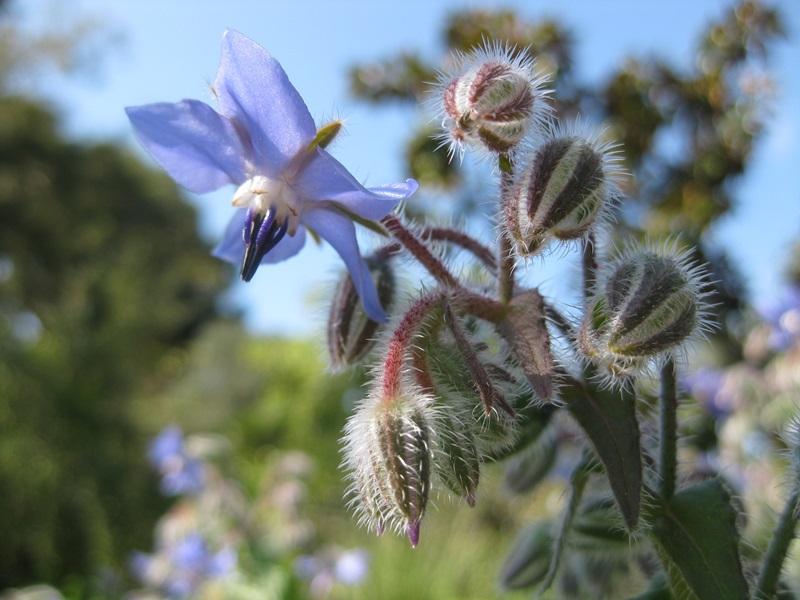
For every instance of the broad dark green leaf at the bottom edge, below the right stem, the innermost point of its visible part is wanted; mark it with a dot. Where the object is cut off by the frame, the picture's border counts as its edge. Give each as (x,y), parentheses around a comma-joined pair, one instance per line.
(695,536)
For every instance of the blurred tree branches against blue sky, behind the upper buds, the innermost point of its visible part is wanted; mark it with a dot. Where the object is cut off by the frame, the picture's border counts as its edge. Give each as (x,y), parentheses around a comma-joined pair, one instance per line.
(712,111)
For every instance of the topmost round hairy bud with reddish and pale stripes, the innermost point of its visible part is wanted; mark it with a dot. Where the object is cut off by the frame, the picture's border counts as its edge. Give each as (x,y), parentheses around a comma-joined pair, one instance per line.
(490,99)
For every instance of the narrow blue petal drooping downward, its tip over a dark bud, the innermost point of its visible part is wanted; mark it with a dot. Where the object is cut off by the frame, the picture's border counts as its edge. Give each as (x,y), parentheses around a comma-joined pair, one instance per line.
(340,233)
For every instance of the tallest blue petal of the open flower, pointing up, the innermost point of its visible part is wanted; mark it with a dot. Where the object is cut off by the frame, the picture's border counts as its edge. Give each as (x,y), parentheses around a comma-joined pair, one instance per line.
(253,89)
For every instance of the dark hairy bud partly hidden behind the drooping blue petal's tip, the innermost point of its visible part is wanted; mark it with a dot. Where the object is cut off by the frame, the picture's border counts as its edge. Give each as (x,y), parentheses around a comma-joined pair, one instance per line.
(351,333)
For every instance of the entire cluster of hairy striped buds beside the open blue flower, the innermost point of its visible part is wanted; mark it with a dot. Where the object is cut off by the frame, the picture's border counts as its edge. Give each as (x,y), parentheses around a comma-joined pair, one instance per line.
(459,382)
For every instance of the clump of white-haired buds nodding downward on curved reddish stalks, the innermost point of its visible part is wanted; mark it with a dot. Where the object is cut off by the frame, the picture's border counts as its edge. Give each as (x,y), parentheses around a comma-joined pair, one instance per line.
(442,404)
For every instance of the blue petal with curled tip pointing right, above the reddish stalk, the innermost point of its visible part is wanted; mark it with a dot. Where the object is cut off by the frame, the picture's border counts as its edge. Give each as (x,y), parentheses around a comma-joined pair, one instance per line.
(325,178)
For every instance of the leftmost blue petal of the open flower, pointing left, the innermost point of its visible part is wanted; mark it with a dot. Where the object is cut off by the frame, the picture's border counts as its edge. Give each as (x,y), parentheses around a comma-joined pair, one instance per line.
(196,146)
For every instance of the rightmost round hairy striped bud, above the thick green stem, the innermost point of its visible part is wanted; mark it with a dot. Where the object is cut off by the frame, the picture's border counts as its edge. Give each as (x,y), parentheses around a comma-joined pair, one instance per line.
(651,302)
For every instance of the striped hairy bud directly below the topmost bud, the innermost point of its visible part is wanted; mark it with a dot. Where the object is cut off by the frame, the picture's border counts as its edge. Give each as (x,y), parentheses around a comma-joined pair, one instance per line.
(568,184)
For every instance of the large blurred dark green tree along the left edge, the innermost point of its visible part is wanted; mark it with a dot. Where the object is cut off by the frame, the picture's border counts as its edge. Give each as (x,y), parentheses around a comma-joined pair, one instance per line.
(102,273)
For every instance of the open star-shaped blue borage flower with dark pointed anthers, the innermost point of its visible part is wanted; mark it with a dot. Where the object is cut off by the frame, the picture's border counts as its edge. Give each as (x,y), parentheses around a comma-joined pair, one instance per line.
(264,140)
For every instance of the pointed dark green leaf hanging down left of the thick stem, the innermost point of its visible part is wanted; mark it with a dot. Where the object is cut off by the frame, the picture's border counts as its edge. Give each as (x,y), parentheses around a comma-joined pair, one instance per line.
(608,417)
